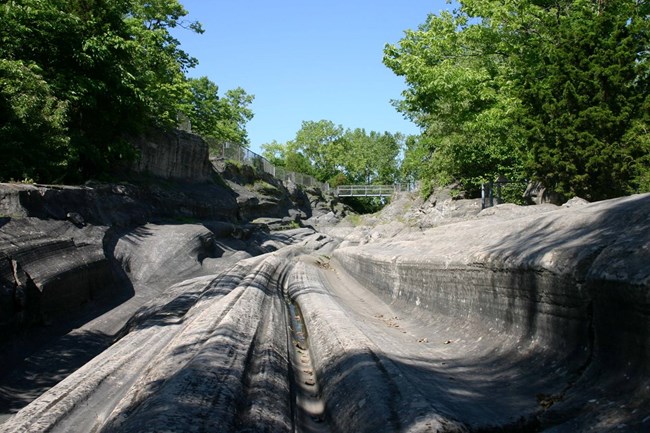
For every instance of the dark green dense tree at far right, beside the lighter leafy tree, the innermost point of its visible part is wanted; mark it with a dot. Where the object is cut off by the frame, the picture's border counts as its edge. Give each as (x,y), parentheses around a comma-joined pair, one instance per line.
(584,97)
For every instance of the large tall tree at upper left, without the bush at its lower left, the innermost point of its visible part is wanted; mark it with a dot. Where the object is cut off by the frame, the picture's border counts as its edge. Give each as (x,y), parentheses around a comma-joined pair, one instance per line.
(113,64)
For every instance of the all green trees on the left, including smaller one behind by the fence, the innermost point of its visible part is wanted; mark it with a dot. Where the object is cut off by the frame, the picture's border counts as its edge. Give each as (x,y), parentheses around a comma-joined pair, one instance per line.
(102,71)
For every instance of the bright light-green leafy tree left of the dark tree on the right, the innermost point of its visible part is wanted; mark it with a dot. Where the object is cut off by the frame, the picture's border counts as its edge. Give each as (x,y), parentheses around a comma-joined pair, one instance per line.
(459,93)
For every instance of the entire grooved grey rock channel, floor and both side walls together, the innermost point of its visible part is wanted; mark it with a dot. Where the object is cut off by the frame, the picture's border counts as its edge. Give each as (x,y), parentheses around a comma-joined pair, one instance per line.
(514,319)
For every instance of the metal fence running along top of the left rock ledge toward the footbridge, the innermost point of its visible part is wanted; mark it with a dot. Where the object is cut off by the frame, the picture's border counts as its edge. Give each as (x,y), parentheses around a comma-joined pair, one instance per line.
(237,153)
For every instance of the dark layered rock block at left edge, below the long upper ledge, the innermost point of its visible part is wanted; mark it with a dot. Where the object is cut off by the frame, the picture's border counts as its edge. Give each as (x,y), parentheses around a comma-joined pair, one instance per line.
(49,268)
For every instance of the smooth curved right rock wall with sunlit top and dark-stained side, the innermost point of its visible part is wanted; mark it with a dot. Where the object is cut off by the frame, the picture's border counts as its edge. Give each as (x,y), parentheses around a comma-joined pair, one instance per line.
(569,283)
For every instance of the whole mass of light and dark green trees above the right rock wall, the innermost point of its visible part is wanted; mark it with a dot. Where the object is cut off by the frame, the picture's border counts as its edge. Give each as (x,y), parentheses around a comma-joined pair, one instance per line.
(553,91)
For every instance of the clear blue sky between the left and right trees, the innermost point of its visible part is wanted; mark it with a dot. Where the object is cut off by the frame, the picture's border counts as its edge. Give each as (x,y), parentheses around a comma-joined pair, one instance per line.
(306,60)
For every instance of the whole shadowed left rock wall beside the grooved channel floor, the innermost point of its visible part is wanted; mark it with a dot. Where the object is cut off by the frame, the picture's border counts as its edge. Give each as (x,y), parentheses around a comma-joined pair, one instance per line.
(88,257)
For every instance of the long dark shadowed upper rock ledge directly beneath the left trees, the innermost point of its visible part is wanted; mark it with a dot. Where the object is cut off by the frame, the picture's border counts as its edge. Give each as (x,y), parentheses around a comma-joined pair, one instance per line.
(119,204)
